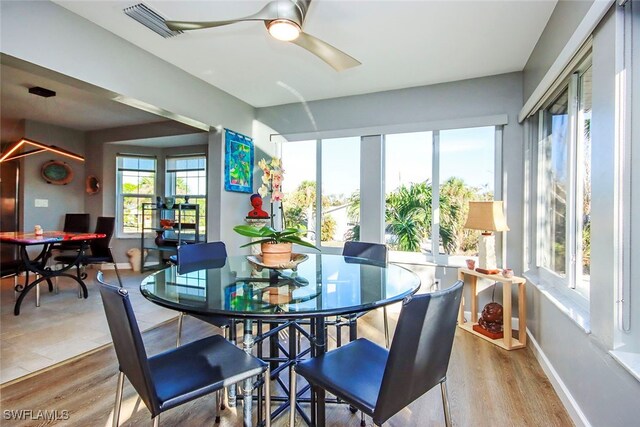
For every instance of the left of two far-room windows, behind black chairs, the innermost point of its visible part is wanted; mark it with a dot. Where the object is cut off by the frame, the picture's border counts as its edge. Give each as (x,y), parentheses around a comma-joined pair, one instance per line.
(136,184)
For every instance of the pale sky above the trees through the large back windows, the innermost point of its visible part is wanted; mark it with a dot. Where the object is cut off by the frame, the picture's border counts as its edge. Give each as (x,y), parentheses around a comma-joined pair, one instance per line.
(464,153)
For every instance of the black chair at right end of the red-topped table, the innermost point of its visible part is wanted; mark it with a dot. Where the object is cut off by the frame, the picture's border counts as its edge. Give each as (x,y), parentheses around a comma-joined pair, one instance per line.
(100,250)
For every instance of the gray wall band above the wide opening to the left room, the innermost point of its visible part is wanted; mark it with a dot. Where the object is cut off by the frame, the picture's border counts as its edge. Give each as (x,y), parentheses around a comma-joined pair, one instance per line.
(62,41)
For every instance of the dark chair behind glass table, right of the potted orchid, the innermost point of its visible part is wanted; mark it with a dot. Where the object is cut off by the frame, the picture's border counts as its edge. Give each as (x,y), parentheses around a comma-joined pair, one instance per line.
(377,253)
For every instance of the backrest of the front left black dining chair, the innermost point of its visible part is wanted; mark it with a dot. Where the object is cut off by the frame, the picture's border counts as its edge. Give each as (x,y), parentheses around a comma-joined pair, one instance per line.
(128,343)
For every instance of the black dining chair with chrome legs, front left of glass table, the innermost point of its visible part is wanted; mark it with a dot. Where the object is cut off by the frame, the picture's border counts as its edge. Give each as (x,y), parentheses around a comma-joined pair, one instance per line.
(176,376)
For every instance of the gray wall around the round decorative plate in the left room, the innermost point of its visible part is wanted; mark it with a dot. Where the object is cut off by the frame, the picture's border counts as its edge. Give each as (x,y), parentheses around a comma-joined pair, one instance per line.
(61,198)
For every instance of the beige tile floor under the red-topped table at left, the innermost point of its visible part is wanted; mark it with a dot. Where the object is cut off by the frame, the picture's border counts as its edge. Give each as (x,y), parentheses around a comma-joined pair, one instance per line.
(63,326)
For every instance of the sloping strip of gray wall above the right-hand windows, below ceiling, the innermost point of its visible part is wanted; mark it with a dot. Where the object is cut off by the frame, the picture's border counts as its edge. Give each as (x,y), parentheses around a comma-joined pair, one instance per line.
(563,21)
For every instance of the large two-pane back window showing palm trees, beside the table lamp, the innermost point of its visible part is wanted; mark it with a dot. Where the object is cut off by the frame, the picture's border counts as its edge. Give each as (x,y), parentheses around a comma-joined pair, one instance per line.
(459,165)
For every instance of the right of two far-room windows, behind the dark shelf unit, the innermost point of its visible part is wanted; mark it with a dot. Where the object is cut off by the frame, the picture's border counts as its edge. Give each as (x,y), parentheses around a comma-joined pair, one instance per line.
(186,179)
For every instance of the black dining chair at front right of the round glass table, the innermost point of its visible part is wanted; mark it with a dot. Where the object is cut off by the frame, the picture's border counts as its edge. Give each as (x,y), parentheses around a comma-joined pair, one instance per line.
(382,382)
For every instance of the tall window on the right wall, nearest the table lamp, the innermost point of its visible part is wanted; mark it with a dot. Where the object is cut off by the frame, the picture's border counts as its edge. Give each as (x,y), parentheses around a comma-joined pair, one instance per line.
(564,185)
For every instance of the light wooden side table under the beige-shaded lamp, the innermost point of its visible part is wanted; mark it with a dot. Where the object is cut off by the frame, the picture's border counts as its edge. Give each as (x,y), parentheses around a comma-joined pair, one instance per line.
(507,342)
